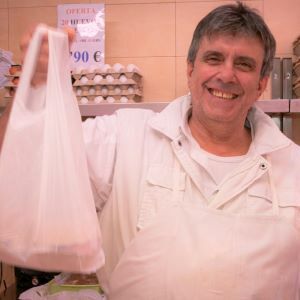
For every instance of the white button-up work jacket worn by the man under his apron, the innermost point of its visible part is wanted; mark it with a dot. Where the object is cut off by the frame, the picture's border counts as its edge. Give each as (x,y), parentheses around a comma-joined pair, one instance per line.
(131,158)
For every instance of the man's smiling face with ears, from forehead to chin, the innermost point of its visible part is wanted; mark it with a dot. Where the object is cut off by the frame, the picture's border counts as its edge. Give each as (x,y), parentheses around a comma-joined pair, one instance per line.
(224,80)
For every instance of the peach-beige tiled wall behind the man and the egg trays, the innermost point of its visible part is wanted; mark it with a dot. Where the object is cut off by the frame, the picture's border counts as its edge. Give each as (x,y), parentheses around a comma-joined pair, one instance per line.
(153,34)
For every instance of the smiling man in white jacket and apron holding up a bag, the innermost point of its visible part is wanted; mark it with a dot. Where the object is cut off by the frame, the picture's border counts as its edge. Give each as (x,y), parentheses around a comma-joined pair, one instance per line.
(201,200)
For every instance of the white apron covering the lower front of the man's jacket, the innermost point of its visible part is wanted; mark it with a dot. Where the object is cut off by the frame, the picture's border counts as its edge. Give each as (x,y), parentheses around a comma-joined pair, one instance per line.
(190,252)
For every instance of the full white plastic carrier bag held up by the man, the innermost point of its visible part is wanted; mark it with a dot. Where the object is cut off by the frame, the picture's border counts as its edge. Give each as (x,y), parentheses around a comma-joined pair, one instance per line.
(47,214)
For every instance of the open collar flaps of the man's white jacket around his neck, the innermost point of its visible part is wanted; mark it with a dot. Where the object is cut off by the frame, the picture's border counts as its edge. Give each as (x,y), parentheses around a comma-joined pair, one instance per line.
(267,137)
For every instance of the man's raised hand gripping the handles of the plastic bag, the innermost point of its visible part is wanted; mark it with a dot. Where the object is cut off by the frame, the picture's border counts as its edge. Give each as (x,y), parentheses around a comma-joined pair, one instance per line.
(40,74)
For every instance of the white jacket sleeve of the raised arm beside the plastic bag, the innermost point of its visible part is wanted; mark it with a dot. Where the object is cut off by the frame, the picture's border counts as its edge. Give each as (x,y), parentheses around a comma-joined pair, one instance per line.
(100,135)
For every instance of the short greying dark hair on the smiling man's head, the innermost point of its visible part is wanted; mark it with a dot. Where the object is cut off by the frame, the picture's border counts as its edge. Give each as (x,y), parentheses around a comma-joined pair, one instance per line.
(235,19)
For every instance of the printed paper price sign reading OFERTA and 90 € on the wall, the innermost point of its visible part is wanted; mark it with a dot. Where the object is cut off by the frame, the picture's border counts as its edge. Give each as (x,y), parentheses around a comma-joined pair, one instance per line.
(88,22)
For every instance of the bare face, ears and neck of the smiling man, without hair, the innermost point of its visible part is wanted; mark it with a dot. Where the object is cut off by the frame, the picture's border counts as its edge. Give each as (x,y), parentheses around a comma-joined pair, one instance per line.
(225,80)
